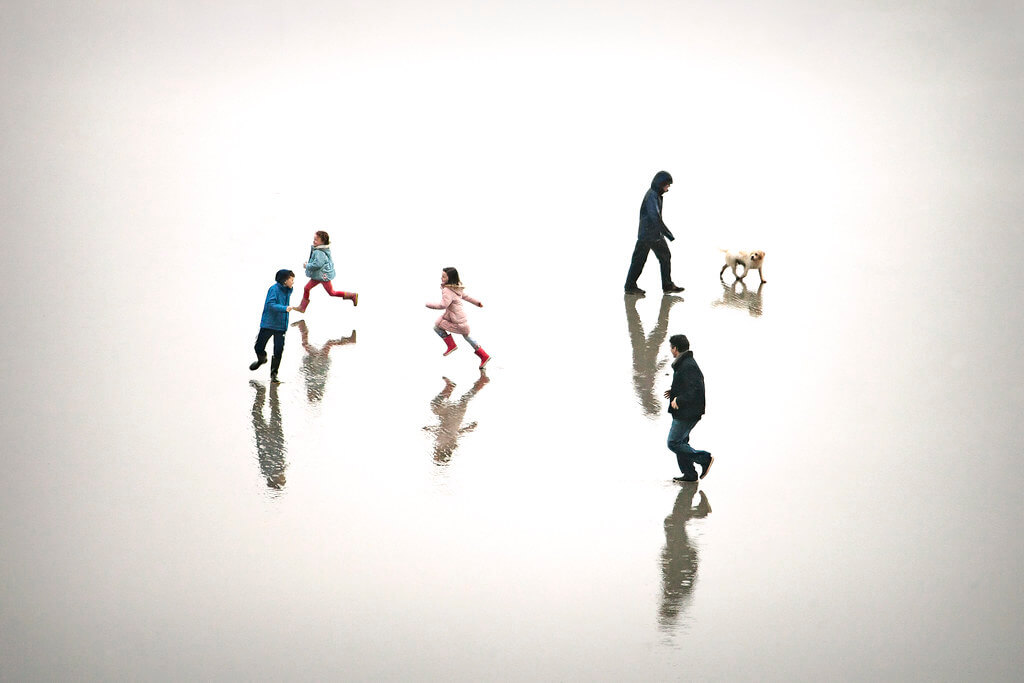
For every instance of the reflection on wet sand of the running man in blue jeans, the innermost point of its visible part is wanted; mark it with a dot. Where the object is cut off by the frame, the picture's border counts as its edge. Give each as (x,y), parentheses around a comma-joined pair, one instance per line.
(679,560)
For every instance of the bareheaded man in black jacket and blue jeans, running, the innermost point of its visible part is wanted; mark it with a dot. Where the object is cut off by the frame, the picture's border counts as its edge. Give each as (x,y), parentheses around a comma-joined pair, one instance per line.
(687,407)
